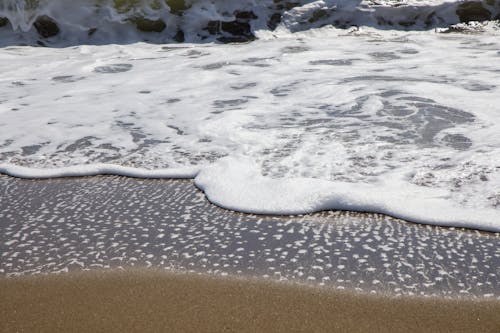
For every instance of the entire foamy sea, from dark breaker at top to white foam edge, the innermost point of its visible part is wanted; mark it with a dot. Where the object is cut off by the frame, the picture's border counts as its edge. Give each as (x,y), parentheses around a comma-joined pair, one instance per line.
(274,107)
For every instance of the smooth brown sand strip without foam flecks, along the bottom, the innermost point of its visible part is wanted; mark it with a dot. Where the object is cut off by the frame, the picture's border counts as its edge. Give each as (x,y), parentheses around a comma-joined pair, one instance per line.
(140,301)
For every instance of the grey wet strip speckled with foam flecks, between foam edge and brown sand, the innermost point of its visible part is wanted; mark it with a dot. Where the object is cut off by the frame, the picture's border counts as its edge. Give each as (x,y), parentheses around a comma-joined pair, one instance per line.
(77,224)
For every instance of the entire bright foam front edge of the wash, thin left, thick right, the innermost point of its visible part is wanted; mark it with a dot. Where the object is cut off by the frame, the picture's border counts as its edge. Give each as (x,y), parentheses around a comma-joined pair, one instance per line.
(233,183)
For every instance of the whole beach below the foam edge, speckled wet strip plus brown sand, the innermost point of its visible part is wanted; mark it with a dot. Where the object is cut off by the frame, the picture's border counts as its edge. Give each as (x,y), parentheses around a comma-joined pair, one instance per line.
(155,255)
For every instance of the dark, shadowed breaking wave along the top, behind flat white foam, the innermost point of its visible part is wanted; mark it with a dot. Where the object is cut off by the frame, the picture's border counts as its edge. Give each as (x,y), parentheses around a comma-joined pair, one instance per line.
(53,22)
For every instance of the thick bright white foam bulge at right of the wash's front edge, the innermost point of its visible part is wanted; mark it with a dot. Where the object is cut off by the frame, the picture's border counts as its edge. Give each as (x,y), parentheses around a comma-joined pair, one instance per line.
(237,185)
